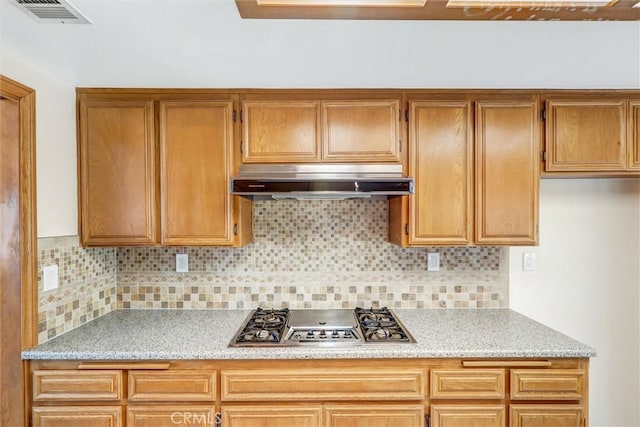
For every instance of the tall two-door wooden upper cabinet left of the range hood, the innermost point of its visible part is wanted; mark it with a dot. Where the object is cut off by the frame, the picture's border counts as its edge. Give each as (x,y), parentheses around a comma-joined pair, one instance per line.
(154,169)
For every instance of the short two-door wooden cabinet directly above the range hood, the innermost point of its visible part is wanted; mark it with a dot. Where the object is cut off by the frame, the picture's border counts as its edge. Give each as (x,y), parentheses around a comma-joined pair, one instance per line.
(276,129)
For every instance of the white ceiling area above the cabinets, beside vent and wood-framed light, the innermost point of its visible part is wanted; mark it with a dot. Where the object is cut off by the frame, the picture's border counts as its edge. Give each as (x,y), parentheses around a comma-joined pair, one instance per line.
(205,43)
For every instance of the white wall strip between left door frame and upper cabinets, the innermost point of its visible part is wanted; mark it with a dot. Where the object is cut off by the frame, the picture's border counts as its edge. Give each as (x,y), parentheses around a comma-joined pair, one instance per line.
(55,145)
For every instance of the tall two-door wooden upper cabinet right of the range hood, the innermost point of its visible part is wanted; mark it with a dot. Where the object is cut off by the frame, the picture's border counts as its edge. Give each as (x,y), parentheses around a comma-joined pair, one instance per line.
(476,170)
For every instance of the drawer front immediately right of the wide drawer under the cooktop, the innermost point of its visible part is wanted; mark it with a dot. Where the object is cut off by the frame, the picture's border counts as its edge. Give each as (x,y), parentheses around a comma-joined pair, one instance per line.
(467,383)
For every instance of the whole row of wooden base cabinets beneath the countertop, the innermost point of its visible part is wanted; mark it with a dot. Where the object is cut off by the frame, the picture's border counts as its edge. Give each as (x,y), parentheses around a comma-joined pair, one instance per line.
(317,393)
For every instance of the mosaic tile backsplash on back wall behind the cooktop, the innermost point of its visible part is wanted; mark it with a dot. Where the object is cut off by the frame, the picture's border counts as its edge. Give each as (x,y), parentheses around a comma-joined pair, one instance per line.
(314,254)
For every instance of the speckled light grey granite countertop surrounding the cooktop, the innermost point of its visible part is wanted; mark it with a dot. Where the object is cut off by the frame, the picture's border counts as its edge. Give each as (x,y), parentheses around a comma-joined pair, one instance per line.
(205,334)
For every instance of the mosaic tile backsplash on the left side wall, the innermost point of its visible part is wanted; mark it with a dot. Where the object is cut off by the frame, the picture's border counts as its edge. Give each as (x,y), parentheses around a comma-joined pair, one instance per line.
(86,285)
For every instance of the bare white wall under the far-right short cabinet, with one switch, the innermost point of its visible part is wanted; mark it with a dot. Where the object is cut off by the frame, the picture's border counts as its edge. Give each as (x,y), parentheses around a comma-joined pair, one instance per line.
(587,284)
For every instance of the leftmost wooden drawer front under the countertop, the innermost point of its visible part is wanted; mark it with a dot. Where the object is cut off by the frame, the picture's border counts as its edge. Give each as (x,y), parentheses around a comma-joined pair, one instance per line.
(71,385)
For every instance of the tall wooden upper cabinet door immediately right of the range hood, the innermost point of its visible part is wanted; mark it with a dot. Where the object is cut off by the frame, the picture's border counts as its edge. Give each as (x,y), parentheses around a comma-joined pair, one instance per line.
(441,147)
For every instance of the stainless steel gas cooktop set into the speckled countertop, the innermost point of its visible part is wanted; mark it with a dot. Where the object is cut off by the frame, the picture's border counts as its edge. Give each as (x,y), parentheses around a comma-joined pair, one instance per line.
(339,327)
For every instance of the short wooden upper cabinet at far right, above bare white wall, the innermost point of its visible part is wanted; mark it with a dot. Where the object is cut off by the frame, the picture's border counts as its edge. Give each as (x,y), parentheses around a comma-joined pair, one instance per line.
(592,135)
